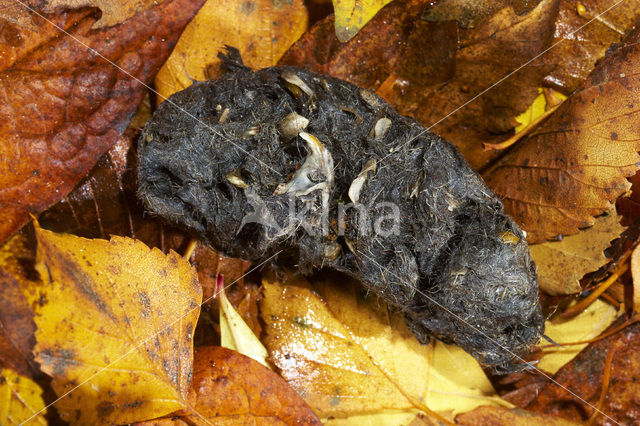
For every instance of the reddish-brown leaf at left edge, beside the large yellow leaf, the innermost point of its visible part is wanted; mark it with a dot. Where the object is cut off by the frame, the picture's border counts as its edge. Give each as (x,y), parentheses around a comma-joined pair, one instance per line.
(16,316)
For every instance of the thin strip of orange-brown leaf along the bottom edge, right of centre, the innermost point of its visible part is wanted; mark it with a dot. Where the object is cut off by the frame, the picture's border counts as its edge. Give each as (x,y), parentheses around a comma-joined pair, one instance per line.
(508,417)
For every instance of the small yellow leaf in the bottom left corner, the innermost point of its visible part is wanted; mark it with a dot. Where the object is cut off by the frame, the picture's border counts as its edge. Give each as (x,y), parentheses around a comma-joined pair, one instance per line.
(20,399)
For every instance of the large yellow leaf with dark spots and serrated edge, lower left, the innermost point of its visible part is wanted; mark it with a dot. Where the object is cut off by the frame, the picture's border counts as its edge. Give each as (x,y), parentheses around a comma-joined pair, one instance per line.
(115,327)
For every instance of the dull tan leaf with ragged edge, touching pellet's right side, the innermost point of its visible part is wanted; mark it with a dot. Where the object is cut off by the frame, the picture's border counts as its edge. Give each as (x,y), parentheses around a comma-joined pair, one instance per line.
(561,264)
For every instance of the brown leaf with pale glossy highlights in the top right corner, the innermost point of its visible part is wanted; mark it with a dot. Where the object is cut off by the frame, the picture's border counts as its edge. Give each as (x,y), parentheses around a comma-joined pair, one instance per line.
(583,33)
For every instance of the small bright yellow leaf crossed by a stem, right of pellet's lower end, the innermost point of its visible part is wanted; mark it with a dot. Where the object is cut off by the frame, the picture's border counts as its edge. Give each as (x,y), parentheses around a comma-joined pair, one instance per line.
(584,326)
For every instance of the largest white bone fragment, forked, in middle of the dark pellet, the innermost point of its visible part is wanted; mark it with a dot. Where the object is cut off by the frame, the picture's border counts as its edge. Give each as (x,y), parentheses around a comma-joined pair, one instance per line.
(319,161)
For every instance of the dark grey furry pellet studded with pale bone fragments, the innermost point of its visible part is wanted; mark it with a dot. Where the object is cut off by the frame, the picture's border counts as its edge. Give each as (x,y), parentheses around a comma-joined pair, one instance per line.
(286,160)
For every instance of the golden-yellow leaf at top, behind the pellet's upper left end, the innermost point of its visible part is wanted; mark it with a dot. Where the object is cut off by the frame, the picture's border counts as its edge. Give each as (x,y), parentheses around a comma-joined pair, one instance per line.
(262,30)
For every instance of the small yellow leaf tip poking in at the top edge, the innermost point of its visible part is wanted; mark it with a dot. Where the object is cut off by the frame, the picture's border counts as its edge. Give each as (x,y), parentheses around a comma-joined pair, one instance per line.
(352,15)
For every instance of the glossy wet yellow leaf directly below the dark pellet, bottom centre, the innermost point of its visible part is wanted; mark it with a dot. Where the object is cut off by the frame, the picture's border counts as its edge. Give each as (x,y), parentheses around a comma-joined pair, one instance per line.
(348,356)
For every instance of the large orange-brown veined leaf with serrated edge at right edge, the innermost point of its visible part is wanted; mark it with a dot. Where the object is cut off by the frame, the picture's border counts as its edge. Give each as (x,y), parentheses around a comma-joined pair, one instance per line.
(574,165)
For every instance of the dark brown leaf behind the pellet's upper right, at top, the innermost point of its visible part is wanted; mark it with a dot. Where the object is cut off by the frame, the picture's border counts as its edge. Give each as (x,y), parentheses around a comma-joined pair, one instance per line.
(428,69)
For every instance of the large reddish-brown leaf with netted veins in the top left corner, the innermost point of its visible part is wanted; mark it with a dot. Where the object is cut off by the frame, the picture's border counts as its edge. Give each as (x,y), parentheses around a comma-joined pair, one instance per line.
(62,106)
